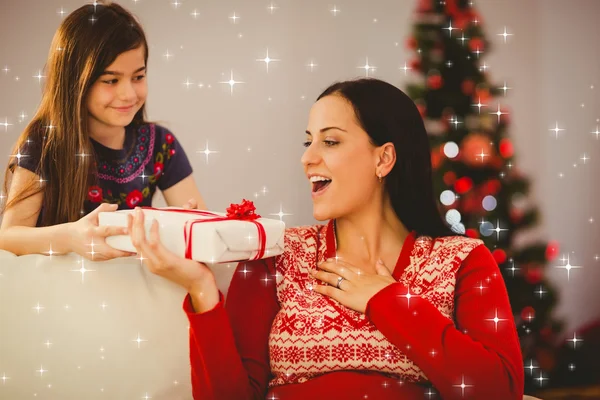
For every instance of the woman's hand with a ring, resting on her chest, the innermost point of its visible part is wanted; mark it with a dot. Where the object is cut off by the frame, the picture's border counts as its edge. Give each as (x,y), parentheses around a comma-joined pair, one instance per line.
(356,288)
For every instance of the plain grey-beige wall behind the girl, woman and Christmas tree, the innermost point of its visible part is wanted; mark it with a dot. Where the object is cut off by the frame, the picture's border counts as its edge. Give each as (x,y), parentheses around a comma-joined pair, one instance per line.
(551,63)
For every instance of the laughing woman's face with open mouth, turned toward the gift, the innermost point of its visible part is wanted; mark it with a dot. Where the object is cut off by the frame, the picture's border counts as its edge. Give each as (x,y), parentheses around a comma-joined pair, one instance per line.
(339,161)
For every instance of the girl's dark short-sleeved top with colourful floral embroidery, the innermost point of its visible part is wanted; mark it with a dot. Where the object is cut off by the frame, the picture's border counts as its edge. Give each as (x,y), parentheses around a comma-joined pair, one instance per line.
(151,157)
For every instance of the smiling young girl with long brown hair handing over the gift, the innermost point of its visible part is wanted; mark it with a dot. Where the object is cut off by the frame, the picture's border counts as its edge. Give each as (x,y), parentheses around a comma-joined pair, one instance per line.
(89,148)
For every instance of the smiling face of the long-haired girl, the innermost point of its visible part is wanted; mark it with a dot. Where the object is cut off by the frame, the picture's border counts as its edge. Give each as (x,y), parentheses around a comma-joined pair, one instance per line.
(120,92)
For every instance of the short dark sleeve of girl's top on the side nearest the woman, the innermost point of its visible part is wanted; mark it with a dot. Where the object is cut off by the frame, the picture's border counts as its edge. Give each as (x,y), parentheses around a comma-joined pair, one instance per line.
(176,166)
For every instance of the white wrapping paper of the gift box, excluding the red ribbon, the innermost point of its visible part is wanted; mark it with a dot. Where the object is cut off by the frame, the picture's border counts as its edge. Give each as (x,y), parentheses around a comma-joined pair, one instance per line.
(212,242)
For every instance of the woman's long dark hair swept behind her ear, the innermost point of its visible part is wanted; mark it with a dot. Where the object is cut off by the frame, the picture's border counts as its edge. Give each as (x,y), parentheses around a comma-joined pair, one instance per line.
(389,115)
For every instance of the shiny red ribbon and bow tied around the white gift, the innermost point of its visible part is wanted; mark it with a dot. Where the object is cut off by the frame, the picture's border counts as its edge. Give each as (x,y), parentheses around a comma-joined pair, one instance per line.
(236,212)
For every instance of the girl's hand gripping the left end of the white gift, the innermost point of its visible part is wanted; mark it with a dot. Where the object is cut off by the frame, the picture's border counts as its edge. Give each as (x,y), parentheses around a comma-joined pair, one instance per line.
(87,239)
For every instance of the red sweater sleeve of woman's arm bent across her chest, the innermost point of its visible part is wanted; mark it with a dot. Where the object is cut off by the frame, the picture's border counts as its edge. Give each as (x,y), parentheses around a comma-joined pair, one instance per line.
(477,355)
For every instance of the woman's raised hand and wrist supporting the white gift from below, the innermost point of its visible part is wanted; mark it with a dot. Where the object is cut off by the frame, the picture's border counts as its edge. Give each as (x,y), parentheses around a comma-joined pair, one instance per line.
(195,277)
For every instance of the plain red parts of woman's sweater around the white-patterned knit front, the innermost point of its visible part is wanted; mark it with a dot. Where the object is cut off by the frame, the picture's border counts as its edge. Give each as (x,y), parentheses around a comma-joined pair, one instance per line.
(230,344)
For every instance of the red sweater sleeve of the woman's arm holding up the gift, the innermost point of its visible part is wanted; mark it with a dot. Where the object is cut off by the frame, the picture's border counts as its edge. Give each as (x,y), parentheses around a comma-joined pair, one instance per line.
(229,351)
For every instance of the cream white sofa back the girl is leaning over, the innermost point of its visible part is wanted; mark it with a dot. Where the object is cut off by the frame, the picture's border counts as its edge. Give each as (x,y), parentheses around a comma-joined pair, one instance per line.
(70,334)
